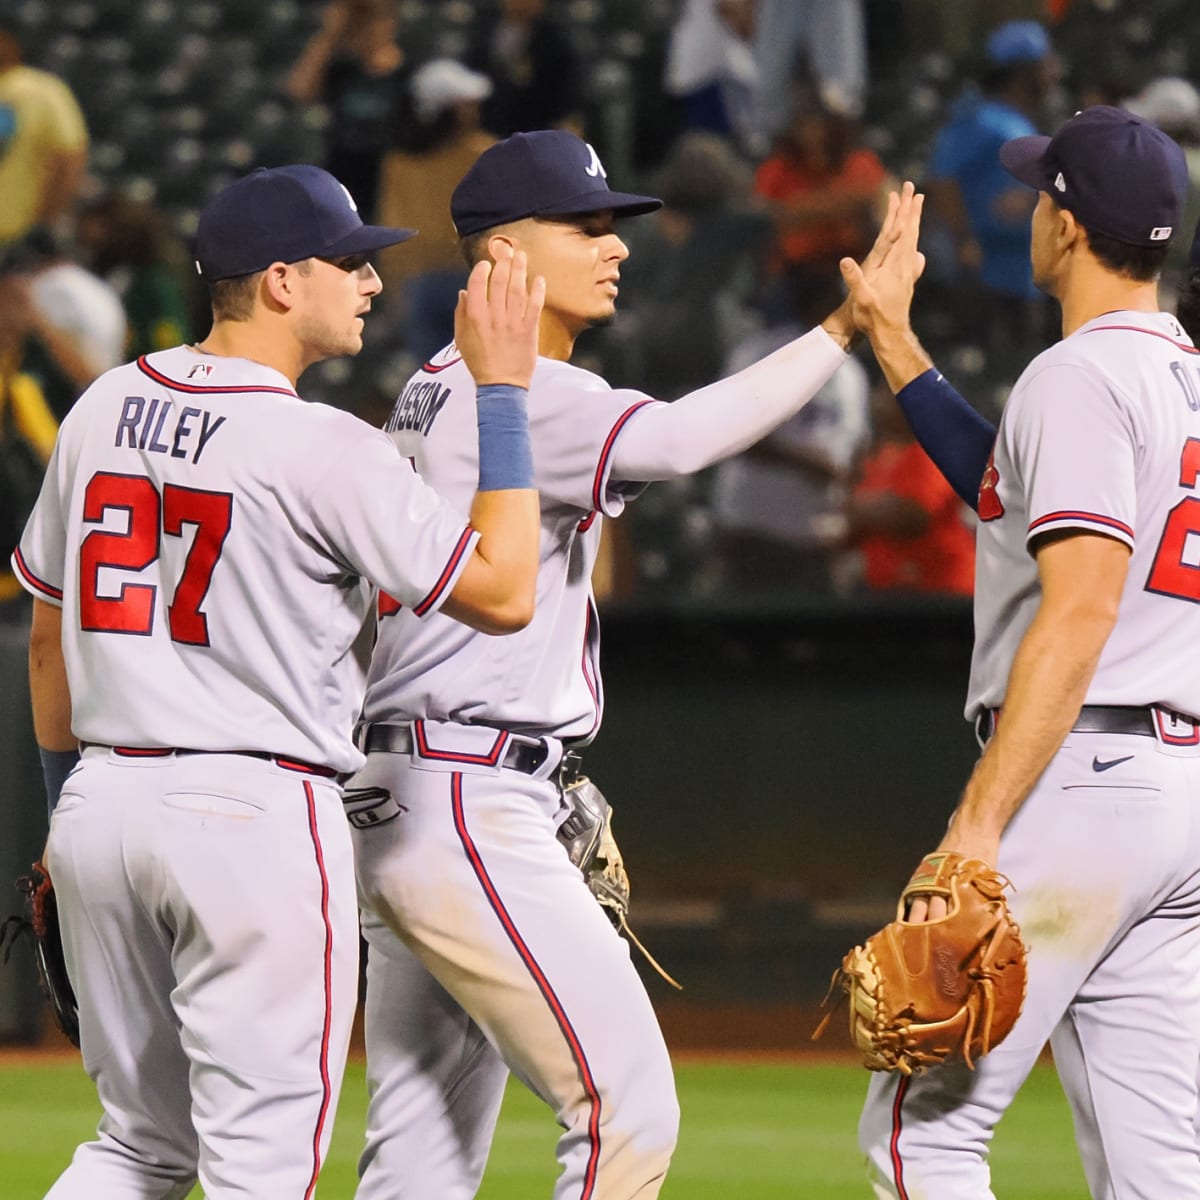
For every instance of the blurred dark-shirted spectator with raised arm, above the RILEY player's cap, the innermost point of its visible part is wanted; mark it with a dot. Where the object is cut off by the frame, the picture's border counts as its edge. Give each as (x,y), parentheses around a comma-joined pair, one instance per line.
(356,68)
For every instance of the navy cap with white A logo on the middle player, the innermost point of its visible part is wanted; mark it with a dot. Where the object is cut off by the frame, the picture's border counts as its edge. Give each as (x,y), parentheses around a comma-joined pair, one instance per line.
(545,173)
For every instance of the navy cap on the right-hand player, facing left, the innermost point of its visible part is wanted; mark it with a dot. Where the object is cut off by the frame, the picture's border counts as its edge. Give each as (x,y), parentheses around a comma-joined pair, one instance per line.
(1119,175)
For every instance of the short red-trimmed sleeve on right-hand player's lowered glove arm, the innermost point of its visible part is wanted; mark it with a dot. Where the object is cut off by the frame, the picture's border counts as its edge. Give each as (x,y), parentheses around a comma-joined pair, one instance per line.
(1075,445)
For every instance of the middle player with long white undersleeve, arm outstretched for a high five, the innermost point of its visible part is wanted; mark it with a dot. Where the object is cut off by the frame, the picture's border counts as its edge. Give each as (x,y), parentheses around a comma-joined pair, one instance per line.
(488,952)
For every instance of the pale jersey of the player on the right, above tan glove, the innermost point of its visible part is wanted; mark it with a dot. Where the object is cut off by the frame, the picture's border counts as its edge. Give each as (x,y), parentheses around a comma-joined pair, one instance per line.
(1101,434)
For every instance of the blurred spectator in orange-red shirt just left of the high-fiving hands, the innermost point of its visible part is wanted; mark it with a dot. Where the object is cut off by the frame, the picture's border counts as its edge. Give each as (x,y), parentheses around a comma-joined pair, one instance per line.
(826,190)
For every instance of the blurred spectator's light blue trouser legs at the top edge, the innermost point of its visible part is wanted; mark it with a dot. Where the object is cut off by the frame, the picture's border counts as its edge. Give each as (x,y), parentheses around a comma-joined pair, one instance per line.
(809,39)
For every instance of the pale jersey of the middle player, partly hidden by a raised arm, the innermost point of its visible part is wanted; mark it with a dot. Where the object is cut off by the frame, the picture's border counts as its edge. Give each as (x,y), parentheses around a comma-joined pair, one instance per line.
(544,680)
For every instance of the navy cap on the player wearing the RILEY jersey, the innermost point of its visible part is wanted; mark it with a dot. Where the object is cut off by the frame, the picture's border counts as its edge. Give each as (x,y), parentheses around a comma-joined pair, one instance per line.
(283,215)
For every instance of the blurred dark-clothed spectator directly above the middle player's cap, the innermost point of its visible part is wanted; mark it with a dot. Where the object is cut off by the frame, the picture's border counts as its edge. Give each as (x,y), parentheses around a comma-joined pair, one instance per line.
(535,70)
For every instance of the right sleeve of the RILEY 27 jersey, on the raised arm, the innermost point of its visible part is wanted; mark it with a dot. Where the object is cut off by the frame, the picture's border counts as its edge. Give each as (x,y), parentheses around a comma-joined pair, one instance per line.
(375,513)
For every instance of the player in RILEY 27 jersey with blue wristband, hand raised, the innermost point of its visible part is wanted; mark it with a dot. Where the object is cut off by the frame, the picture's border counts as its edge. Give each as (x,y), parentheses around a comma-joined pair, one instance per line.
(200,557)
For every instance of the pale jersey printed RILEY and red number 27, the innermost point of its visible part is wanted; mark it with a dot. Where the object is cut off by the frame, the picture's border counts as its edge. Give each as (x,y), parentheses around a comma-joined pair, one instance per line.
(193,520)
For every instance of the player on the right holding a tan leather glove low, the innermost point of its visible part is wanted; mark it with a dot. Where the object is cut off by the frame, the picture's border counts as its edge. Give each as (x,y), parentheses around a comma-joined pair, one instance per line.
(1085,688)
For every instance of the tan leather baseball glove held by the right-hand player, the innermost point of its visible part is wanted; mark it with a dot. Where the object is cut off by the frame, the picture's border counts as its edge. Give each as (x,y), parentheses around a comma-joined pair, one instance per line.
(940,992)
